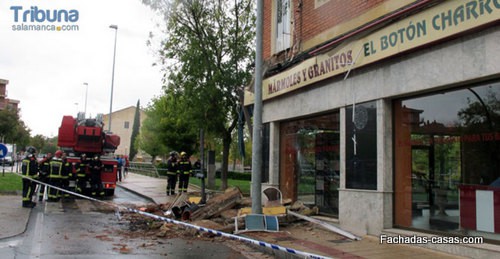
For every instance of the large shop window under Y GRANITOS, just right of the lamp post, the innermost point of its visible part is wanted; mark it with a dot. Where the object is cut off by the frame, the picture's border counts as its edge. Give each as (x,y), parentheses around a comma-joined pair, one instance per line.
(309,161)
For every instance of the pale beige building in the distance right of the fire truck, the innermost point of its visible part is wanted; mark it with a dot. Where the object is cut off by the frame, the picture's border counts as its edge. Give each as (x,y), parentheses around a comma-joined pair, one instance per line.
(122,122)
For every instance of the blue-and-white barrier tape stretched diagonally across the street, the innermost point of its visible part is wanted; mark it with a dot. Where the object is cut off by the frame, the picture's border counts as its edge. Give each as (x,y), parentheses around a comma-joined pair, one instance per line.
(169,220)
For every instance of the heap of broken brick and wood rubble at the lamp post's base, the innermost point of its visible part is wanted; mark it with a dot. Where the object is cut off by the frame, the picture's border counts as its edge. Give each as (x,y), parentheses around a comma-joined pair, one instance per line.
(218,213)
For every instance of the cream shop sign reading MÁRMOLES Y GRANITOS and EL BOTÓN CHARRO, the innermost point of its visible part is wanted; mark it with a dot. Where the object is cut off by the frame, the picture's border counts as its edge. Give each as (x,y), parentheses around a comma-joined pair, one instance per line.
(436,23)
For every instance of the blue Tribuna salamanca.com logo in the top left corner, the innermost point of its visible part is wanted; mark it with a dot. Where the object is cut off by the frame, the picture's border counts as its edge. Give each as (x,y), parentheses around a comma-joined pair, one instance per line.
(39,19)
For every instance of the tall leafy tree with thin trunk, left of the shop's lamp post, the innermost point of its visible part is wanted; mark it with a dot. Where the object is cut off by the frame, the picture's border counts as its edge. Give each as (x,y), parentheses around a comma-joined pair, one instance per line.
(207,53)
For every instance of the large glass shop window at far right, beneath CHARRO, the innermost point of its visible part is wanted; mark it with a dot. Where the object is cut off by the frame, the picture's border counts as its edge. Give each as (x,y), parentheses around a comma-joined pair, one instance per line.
(447,152)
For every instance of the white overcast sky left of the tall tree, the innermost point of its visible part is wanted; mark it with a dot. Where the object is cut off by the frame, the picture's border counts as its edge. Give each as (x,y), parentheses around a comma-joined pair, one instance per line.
(47,69)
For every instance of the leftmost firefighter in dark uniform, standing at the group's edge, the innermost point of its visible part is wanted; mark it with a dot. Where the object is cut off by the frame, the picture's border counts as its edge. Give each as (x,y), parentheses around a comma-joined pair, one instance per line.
(29,169)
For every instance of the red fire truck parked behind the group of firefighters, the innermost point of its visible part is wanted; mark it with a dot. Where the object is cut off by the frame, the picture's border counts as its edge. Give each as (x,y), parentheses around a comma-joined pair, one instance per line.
(82,135)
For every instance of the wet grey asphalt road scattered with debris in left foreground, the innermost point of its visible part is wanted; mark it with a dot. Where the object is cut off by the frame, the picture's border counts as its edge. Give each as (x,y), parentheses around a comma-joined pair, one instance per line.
(87,229)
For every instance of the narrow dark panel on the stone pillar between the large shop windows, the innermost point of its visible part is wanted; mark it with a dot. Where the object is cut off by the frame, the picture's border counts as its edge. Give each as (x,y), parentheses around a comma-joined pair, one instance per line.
(361,146)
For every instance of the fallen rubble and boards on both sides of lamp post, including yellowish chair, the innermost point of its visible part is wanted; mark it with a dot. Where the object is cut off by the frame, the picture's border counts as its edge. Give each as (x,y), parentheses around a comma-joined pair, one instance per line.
(218,213)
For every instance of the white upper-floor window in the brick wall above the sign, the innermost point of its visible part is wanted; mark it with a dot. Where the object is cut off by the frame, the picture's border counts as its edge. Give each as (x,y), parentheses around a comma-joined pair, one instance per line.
(283,25)
